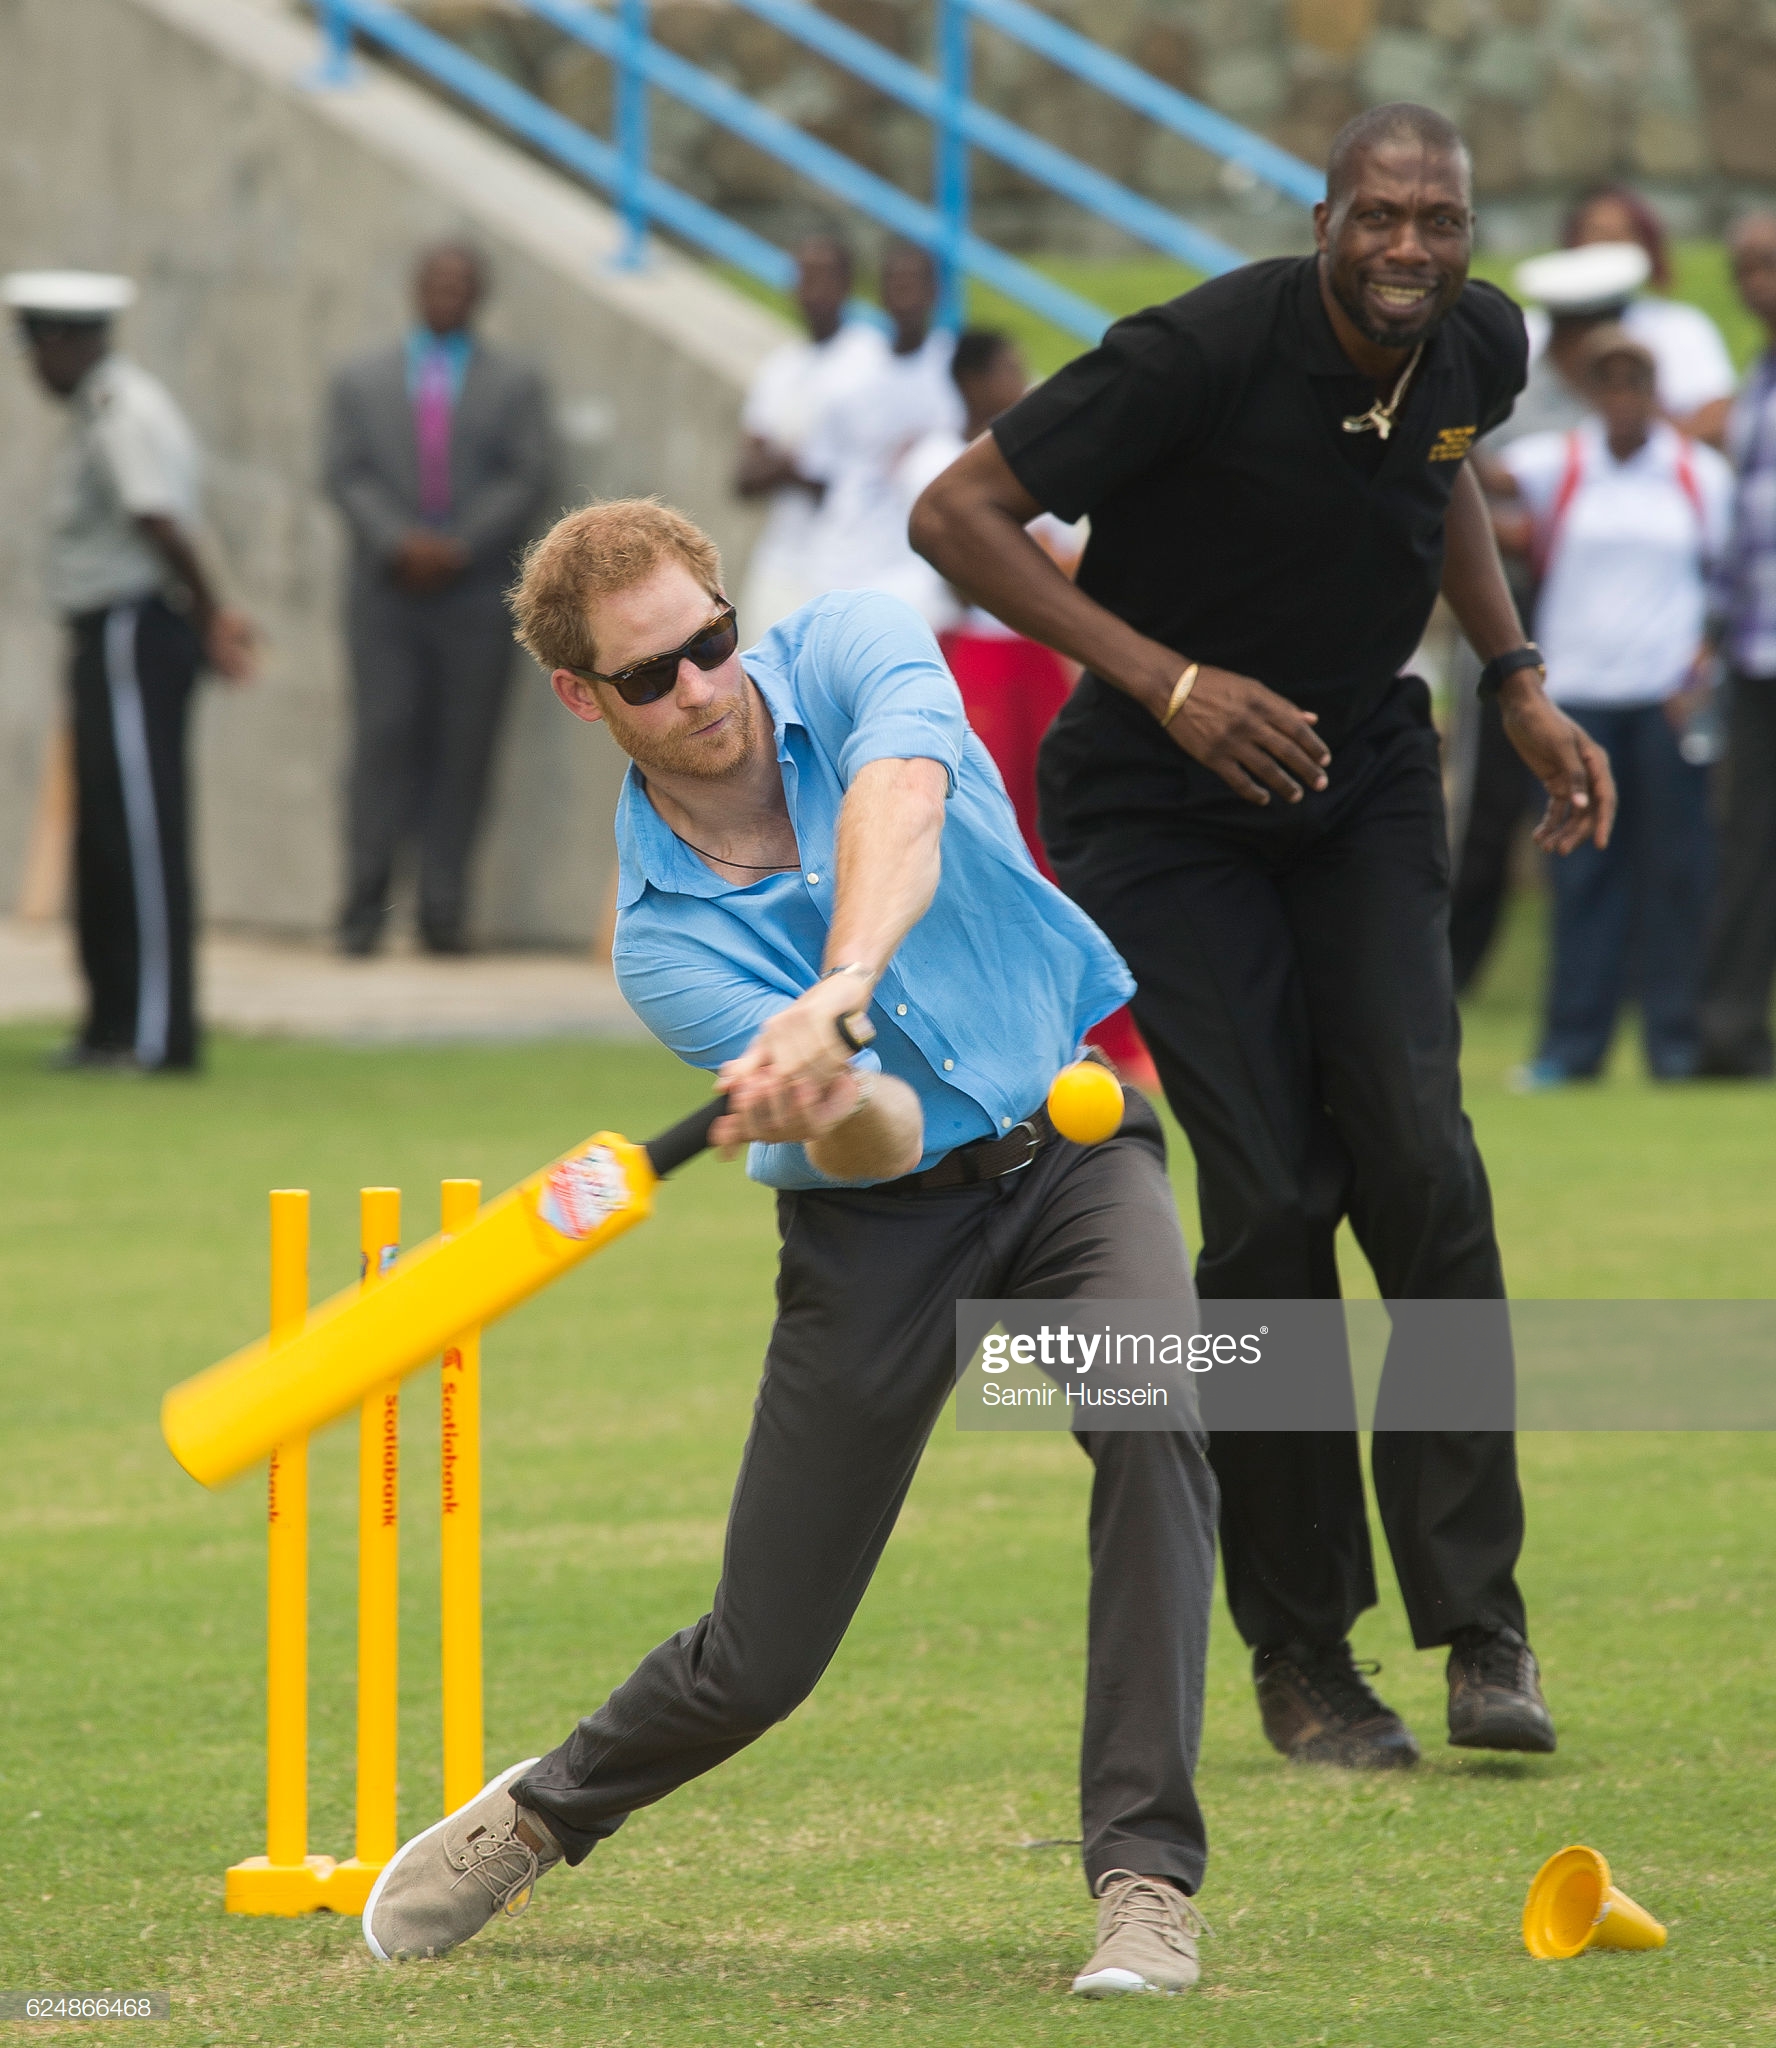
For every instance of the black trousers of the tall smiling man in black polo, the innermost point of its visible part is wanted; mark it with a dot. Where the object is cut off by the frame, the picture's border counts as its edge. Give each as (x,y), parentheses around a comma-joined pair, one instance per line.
(1296,992)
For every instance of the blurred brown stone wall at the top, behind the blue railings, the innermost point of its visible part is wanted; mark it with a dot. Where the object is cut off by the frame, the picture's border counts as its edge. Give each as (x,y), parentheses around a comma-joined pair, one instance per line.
(1677,95)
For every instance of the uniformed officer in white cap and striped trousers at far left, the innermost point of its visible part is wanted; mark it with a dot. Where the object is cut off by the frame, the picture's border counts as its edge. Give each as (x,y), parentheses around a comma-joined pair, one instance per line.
(144,622)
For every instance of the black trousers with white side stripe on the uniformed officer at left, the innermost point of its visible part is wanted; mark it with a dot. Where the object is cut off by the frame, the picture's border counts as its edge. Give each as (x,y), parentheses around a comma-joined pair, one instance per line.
(132,679)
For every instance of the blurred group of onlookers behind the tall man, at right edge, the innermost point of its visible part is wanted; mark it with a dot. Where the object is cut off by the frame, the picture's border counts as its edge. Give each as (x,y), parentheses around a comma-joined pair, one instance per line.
(1636,505)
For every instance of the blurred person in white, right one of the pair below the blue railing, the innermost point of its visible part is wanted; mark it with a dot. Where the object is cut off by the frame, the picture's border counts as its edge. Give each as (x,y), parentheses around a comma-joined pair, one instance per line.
(868,431)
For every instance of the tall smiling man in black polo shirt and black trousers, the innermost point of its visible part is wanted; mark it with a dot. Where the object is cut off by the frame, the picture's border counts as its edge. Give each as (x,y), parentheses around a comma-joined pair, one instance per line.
(1244,794)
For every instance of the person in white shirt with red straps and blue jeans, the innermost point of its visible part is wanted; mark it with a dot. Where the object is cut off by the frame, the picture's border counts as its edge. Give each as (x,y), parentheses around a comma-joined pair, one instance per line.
(1625,517)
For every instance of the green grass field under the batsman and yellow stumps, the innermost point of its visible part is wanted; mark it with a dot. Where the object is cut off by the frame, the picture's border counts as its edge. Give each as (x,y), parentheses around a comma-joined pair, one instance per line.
(857,1877)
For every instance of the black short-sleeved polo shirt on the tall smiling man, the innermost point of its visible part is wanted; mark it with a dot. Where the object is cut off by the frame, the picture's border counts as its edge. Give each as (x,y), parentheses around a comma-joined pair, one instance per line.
(1232,517)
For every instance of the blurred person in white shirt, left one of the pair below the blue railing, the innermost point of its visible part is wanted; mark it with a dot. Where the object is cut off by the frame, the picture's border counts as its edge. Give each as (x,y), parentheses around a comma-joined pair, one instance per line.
(784,409)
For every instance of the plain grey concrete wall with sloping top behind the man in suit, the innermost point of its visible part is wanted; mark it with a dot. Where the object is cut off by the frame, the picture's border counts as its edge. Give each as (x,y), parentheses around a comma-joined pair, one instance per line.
(271,230)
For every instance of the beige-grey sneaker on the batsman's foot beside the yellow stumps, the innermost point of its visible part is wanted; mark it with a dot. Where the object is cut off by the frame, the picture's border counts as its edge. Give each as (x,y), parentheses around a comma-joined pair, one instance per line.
(446,1885)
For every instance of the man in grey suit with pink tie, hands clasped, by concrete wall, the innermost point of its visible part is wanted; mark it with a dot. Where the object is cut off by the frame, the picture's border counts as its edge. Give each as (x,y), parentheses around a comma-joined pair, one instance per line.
(439,456)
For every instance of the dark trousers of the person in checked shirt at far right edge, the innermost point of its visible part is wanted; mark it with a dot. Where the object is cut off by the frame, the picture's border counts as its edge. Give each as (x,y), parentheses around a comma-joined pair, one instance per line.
(1742,937)
